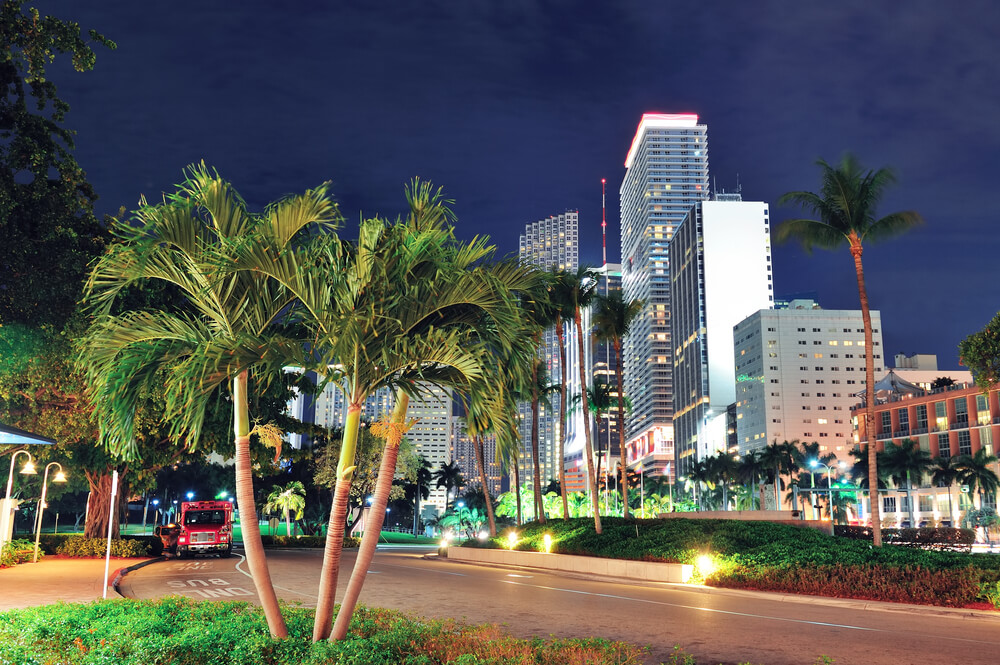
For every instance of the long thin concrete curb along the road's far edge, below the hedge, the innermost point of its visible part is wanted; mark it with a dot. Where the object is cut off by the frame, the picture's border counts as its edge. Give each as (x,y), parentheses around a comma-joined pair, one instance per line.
(879,606)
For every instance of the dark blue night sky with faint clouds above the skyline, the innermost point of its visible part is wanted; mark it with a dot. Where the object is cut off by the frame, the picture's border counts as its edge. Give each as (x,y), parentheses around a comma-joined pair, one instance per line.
(519,108)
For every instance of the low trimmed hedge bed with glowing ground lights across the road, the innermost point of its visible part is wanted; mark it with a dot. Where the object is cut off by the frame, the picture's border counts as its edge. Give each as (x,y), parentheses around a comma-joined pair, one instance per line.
(779,557)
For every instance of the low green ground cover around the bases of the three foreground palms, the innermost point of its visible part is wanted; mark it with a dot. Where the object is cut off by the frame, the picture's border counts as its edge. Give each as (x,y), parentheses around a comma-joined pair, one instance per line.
(183,632)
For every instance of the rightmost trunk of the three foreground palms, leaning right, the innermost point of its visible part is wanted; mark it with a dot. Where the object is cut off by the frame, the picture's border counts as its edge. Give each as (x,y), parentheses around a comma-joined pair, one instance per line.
(373,528)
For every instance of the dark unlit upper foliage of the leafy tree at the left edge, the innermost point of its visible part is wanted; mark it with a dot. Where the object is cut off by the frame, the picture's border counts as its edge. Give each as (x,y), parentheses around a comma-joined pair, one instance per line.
(46,204)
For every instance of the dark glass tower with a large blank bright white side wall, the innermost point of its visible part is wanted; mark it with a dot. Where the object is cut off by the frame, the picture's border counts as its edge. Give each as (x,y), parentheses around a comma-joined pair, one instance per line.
(720,273)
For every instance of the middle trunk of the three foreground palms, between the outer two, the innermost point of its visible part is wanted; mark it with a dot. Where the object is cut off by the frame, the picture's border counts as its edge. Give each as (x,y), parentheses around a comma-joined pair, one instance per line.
(337,525)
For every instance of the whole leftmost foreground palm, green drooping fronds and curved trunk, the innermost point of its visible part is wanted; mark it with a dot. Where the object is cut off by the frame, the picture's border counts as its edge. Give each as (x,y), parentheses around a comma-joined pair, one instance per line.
(224,330)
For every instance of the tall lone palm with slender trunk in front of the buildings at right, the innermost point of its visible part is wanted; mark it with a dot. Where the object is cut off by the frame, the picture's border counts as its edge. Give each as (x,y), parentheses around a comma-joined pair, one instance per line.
(846,206)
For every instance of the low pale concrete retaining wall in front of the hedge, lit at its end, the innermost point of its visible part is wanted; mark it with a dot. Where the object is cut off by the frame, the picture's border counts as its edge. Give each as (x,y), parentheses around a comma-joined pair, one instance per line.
(637,570)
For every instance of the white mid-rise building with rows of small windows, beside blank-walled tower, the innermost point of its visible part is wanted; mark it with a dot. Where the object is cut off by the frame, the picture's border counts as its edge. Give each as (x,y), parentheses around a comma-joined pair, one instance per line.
(798,371)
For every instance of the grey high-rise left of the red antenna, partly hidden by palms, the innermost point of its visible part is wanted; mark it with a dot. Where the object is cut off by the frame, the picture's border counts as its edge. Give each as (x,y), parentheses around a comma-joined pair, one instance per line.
(547,244)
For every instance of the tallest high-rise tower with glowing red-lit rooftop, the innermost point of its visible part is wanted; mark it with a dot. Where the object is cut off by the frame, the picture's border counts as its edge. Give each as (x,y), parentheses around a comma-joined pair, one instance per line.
(666,174)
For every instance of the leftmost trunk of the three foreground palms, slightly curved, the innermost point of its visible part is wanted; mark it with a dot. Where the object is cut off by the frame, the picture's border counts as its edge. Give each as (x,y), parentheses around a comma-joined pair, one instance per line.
(249,524)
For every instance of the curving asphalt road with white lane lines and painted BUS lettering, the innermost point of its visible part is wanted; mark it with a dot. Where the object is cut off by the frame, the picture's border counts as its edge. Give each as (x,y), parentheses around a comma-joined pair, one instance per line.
(716,626)
